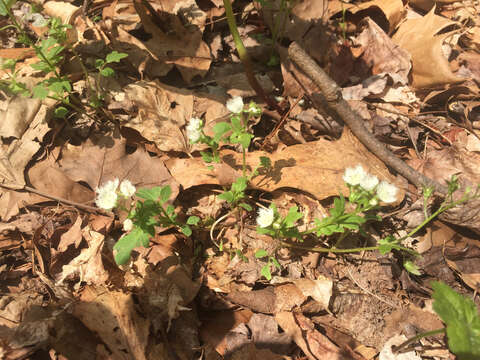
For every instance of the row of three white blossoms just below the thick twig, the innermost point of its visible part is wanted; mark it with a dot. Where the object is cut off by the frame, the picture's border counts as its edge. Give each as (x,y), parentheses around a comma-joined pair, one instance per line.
(386,192)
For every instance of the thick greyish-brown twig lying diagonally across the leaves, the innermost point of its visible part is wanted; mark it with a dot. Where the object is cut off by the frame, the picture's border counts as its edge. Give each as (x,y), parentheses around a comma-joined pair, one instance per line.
(335,101)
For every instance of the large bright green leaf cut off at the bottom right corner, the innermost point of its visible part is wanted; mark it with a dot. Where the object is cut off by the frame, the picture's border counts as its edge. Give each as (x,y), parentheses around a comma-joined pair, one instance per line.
(462,319)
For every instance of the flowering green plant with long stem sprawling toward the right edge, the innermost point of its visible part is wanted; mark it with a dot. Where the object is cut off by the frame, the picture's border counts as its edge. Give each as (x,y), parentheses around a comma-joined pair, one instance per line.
(366,193)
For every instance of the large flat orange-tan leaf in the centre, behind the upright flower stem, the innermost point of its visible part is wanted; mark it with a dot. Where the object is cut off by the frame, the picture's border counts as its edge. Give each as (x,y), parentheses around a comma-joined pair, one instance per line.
(315,167)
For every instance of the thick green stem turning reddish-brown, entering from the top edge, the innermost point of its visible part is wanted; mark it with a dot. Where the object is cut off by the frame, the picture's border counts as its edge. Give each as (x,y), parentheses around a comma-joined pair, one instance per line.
(243,54)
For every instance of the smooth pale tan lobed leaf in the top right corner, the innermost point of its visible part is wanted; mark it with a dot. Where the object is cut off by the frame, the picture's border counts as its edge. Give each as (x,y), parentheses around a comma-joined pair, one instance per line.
(419,37)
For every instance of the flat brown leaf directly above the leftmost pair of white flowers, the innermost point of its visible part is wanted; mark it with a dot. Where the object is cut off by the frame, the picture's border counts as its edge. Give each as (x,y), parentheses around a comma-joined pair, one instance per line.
(103,158)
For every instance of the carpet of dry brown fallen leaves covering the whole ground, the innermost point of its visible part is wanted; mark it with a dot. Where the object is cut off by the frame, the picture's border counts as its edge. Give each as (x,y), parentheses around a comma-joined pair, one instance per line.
(410,71)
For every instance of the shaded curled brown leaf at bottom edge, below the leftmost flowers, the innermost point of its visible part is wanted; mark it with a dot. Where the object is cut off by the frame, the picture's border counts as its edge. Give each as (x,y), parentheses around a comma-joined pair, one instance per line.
(113,316)
